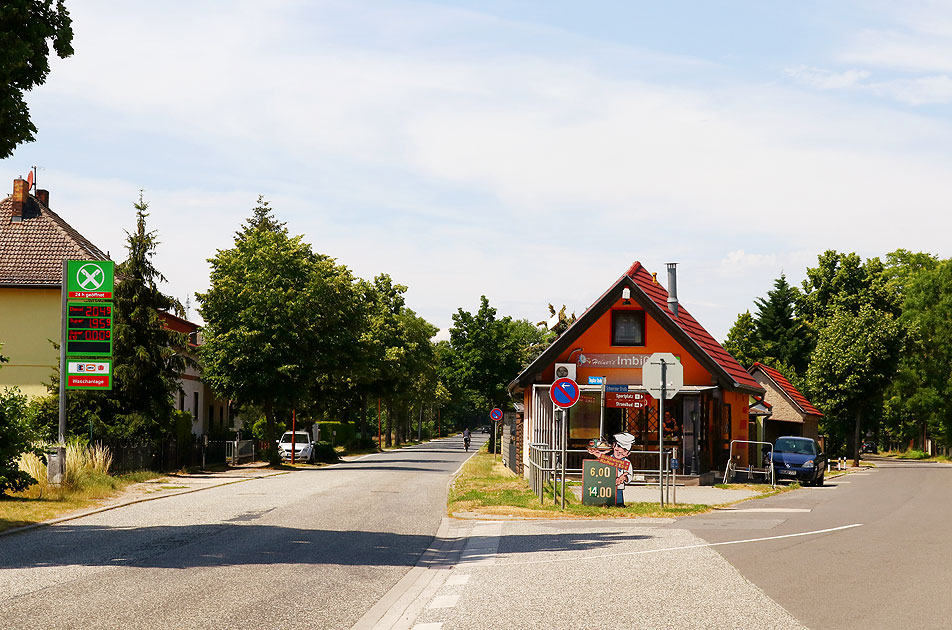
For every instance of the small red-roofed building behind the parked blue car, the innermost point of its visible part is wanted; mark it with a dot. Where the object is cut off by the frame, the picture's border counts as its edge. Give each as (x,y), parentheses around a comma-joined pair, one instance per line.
(790,411)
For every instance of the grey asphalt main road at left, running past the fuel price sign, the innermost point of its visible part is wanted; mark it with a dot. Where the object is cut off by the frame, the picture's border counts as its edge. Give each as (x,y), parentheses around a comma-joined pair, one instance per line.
(314,548)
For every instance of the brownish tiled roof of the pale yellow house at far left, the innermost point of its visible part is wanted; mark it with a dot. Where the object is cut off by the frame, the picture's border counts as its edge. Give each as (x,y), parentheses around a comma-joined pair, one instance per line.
(32,250)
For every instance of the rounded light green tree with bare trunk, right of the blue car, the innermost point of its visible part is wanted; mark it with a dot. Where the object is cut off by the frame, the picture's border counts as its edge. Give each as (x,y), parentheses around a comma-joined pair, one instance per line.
(854,359)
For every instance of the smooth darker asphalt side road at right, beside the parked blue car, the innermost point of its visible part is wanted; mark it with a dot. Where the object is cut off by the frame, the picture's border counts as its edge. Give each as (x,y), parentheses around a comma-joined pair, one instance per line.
(891,571)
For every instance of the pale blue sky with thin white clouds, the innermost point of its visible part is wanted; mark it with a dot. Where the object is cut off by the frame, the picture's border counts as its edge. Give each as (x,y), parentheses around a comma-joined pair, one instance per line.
(526,151)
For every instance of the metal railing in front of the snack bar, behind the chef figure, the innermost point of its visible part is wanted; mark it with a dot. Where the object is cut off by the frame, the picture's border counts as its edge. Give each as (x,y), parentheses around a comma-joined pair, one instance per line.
(547,465)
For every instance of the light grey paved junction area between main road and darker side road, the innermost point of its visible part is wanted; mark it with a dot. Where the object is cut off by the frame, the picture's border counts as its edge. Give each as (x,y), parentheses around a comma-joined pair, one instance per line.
(631,573)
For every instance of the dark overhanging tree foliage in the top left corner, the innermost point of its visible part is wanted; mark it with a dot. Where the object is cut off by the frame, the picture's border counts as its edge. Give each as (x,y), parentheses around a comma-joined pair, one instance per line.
(27,27)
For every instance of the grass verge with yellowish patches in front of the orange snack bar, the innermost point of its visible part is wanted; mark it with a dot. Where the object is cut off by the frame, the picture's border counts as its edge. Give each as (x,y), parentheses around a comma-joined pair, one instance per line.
(488,488)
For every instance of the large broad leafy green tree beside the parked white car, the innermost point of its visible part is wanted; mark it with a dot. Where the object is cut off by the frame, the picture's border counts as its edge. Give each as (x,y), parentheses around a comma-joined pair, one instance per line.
(276,317)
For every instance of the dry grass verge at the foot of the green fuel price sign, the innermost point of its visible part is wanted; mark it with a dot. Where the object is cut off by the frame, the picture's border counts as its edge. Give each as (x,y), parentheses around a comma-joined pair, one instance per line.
(42,503)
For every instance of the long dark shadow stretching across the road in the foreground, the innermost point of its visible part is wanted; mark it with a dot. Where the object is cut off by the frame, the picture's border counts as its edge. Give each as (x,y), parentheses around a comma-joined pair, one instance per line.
(241,542)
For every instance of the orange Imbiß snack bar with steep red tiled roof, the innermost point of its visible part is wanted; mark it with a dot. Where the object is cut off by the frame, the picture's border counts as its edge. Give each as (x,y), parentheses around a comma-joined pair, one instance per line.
(607,347)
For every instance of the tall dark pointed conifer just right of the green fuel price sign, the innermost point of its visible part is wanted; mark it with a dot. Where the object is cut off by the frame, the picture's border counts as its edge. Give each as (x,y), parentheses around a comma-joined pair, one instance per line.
(148,356)
